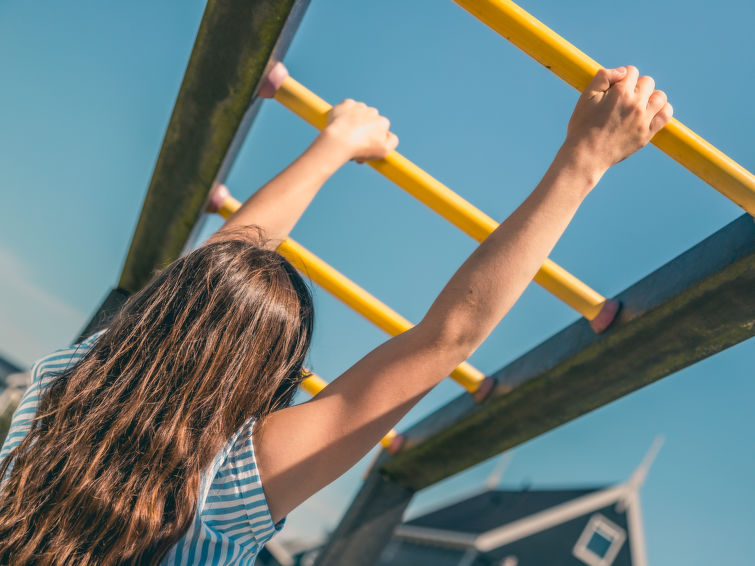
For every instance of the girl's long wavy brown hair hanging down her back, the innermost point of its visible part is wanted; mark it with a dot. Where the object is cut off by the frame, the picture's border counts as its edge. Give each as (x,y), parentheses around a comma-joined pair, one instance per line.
(111,468)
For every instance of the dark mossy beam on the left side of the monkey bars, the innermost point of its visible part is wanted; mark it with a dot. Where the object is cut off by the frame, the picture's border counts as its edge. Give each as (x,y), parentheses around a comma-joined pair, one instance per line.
(237,41)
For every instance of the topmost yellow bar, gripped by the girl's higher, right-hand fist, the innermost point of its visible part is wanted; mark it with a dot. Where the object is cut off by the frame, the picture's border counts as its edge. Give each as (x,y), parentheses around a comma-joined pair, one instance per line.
(576,68)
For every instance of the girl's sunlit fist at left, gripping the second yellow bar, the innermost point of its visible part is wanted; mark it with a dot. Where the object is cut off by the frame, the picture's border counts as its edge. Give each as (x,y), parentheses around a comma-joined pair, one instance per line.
(360,131)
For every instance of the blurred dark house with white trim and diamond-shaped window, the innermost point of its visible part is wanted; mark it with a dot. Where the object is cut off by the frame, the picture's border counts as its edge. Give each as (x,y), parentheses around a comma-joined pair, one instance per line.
(599,526)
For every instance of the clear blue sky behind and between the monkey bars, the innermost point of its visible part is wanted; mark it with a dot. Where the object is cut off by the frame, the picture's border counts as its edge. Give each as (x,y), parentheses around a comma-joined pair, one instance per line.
(88,88)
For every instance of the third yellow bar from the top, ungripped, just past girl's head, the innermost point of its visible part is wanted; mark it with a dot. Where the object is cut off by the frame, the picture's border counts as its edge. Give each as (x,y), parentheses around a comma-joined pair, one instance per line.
(473,380)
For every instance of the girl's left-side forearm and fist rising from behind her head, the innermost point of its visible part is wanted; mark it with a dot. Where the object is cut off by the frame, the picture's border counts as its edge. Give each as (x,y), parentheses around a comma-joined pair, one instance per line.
(354,131)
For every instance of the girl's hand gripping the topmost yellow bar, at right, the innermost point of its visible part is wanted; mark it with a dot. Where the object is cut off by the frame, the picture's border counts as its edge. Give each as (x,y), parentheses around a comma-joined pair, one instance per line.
(617,114)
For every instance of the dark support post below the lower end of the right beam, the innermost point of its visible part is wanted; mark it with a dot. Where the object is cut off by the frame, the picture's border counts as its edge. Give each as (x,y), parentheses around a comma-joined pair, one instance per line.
(369,523)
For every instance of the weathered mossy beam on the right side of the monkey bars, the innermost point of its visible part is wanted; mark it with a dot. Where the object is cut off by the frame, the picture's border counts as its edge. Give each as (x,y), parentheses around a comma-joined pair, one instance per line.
(696,305)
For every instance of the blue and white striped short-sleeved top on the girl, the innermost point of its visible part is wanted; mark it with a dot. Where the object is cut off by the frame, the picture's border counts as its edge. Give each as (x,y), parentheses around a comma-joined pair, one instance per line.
(232,522)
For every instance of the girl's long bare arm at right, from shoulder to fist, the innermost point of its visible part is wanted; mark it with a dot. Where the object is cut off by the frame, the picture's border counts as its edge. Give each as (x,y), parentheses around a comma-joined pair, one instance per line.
(303,448)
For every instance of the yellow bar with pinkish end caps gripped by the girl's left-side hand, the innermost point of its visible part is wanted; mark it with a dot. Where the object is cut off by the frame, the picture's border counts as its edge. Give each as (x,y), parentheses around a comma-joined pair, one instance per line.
(313,109)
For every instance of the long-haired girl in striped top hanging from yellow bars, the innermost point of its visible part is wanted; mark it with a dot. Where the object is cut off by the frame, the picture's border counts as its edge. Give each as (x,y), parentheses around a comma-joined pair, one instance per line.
(151,441)
